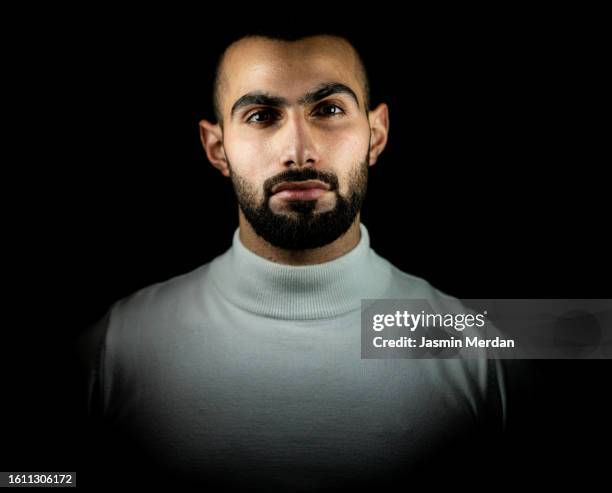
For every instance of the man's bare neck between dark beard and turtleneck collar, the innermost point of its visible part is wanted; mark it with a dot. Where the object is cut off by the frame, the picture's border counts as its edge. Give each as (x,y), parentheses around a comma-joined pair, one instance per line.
(331,251)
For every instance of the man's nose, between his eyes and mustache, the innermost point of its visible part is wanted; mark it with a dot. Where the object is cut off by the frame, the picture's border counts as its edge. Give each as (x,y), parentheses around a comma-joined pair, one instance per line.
(298,143)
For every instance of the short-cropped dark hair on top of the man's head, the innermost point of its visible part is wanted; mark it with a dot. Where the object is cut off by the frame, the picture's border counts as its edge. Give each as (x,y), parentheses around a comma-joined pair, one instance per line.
(292,35)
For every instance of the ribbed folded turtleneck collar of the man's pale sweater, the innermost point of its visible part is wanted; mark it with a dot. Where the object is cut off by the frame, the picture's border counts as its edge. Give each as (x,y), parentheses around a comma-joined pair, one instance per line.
(324,290)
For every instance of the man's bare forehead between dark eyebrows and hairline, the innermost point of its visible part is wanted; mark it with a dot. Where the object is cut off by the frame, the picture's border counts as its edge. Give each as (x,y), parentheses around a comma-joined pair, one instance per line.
(287,68)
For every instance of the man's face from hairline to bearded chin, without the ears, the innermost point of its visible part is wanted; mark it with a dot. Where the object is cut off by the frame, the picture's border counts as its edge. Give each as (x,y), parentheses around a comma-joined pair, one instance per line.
(296,138)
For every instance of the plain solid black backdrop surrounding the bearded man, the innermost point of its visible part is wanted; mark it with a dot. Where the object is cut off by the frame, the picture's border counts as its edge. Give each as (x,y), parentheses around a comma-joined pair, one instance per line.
(493,185)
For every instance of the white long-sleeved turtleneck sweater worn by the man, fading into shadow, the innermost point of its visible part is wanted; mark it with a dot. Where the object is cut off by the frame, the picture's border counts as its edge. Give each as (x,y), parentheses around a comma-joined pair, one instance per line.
(248,369)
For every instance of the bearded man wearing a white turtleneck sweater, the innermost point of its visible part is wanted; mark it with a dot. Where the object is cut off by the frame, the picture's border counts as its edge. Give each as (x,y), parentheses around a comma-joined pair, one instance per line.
(247,370)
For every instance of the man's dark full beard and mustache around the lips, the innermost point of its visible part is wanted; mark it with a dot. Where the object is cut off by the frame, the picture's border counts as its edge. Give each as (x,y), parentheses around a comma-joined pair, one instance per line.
(306,228)
